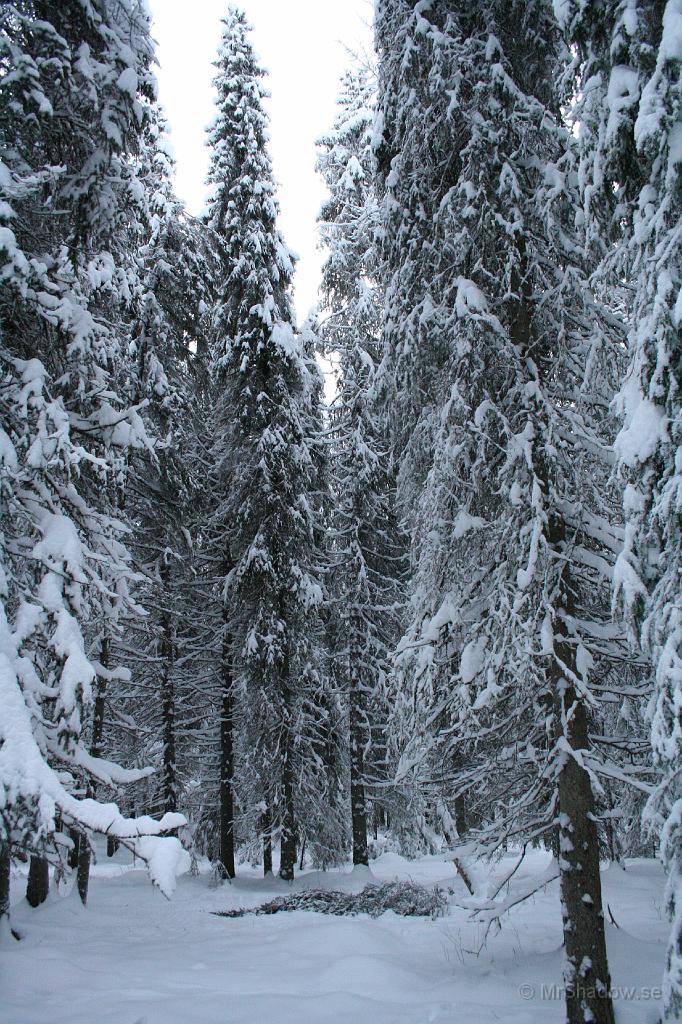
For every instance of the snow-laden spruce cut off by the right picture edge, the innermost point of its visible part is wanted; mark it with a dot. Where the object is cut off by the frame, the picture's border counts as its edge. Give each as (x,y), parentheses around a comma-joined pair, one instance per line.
(630,56)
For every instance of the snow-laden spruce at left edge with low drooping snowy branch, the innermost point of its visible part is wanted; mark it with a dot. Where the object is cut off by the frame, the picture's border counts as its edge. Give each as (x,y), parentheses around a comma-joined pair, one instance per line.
(70,124)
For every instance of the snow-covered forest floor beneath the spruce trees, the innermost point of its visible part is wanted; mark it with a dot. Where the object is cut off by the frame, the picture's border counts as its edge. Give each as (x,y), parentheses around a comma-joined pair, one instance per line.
(136,958)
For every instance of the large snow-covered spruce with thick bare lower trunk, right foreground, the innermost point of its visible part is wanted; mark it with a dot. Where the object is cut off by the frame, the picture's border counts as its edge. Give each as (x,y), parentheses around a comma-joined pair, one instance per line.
(503,370)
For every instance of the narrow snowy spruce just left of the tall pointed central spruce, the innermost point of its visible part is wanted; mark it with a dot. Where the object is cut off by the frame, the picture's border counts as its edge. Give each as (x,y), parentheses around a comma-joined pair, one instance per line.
(170,348)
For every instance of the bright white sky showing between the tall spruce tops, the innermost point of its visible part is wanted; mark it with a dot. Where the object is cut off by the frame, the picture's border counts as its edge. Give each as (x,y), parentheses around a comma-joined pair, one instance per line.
(305,47)
